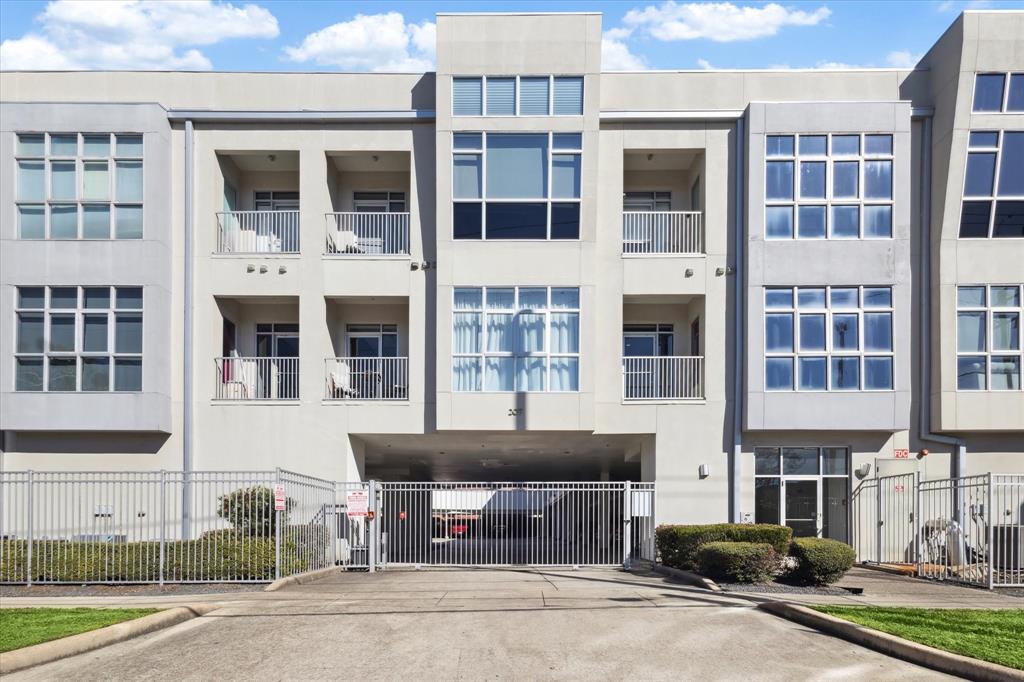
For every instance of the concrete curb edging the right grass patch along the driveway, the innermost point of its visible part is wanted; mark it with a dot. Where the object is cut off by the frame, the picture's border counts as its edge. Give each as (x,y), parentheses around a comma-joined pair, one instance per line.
(921,655)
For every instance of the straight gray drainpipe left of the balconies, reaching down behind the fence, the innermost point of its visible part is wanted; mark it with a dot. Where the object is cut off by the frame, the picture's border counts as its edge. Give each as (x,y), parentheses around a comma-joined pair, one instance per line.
(187,399)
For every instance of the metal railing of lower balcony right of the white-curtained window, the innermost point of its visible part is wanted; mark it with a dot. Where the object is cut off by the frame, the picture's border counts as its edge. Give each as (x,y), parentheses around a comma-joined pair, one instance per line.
(666,378)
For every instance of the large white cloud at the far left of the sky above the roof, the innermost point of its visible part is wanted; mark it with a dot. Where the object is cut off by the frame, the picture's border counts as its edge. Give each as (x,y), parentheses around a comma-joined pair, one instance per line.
(133,34)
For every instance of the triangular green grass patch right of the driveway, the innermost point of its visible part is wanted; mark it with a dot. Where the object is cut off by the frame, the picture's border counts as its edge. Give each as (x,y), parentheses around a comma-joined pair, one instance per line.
(994,635)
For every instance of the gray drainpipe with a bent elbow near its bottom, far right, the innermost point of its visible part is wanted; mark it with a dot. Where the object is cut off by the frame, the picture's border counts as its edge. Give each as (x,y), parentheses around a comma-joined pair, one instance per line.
(958,463)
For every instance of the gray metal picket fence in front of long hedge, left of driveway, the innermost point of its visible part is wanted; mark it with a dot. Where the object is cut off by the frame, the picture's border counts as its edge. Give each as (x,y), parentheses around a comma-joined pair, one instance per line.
(158,527)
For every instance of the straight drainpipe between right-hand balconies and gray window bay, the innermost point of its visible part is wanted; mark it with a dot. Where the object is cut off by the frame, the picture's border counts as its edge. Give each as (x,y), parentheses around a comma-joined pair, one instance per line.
(737,479)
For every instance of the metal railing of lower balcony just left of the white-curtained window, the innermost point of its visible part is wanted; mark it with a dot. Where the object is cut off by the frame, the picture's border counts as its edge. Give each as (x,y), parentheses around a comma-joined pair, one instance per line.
(367,379)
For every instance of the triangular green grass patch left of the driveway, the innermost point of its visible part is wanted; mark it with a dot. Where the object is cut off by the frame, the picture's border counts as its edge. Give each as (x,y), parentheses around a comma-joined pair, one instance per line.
(25,627)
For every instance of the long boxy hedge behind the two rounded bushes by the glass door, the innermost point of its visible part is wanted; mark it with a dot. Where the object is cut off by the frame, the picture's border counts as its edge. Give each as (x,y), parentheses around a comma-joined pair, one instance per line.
(678,545)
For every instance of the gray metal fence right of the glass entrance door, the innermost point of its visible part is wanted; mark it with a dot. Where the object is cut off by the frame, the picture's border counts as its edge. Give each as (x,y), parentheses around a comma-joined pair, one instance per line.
(968,530)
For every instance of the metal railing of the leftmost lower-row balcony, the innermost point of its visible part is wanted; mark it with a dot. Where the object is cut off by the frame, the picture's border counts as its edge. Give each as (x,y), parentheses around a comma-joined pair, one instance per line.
(257,379)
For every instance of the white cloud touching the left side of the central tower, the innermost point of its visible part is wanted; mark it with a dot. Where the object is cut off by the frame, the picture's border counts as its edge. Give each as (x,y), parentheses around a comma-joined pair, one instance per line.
(370,42)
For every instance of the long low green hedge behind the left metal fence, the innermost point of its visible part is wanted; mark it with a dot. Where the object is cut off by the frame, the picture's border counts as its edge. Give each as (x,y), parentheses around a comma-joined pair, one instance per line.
(222,558)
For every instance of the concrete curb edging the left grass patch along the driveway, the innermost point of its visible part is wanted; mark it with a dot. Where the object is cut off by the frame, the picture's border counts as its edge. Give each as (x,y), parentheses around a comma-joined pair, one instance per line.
(88,642)
